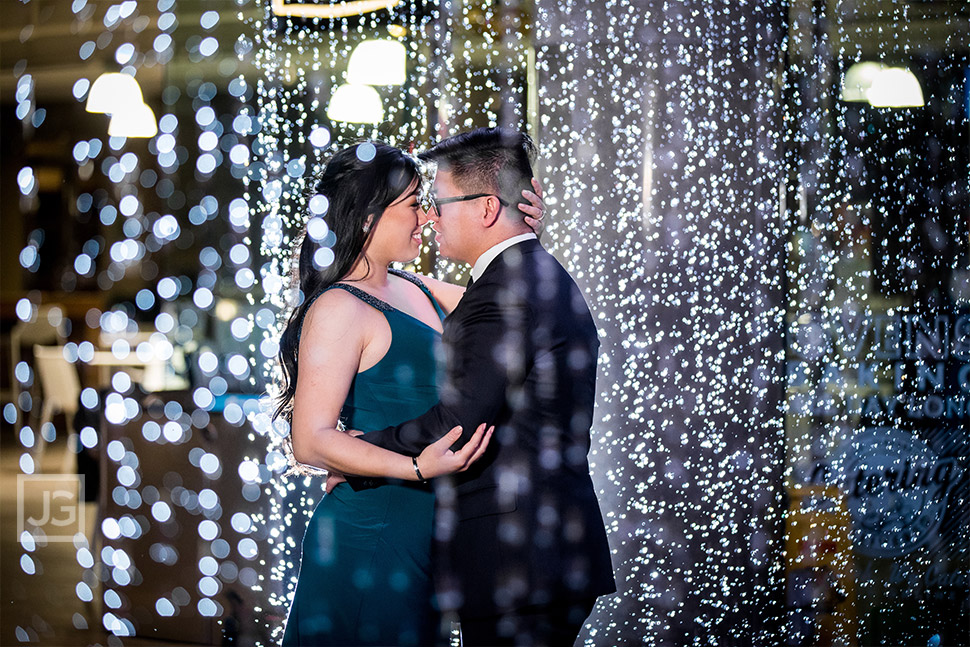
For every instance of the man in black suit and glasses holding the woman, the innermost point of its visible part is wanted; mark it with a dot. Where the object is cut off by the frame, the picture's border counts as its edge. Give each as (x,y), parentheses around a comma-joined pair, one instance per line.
(521,549)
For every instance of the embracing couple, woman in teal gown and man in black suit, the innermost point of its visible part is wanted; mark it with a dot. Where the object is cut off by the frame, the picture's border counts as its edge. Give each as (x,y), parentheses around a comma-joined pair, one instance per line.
(460,417)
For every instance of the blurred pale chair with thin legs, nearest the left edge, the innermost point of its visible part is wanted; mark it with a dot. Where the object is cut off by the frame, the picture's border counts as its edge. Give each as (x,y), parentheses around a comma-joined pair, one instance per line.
(61,390)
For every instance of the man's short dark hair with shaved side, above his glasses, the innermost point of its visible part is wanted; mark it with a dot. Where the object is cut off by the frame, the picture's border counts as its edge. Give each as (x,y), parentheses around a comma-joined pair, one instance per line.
(488,160)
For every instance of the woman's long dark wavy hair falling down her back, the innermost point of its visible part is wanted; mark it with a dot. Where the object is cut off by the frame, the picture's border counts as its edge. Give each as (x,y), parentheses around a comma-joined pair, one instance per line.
(359,181)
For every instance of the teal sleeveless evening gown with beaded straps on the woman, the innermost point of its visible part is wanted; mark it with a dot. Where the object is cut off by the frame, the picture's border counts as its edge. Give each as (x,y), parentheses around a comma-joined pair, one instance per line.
(365,578)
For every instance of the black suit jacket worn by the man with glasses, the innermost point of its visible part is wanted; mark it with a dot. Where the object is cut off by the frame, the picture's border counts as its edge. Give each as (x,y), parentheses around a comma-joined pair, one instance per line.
(522,526)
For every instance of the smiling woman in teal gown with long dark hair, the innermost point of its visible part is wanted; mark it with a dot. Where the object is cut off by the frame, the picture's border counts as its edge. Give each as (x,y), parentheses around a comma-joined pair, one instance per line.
(363,345)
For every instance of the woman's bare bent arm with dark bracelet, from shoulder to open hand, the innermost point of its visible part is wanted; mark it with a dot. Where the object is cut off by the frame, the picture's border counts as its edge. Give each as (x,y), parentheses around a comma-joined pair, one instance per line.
(339,334)
